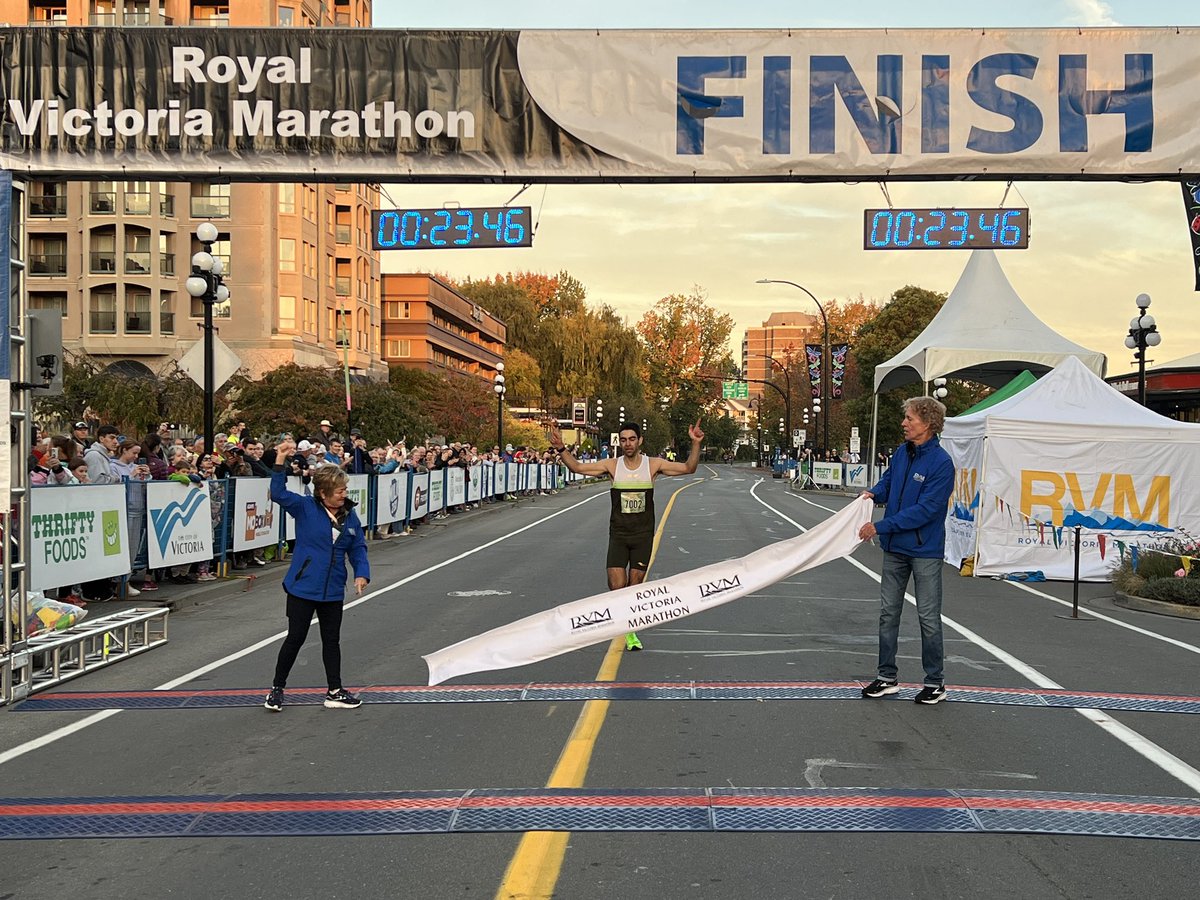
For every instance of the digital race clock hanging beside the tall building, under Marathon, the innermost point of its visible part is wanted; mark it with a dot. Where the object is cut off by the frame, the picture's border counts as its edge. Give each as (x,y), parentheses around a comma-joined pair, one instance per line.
(448,229)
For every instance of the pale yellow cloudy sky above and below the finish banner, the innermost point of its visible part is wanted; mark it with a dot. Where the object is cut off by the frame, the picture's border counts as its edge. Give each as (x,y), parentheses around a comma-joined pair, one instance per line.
(1094,248)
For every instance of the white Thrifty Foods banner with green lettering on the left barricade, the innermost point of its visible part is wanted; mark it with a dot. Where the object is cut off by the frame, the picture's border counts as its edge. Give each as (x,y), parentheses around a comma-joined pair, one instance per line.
(77,535)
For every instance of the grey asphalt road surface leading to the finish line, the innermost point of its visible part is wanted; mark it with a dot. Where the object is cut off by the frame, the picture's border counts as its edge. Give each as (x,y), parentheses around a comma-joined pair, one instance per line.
(490,567)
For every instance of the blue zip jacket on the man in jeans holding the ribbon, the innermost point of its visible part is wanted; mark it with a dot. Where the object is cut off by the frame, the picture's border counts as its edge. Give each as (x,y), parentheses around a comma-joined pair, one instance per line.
(915,493)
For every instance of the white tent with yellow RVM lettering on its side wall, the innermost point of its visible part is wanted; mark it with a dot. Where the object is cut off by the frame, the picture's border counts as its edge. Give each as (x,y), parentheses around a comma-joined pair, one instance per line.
(1069,451)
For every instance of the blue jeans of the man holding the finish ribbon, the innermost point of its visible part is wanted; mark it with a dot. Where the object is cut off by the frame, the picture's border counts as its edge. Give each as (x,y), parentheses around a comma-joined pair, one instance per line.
(927,575)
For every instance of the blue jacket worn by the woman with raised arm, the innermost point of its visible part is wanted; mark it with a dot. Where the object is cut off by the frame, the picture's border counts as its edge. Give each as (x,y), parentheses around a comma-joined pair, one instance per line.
(319,562)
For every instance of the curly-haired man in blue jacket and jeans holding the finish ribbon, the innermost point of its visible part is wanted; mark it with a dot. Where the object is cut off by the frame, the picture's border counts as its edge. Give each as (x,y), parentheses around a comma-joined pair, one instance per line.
(915,491)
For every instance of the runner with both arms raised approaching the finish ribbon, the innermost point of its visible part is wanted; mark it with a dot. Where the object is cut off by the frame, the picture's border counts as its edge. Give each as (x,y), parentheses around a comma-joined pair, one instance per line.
(632,521)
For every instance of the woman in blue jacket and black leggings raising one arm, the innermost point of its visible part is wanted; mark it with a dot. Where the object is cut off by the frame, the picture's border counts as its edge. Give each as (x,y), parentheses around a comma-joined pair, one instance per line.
(328,531)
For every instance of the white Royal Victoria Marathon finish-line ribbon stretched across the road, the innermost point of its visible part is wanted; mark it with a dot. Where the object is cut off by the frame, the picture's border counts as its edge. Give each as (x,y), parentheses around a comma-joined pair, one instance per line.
(638,608)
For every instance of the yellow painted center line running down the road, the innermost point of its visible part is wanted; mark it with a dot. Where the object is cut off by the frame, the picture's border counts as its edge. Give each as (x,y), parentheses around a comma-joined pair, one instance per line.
(533,871)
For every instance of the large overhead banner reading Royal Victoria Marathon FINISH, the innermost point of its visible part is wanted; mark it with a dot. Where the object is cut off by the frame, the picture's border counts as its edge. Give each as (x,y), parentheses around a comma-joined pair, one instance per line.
(590,106)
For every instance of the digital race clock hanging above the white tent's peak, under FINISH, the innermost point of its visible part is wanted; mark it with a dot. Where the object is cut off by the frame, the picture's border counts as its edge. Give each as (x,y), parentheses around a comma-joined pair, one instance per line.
(946,229)
